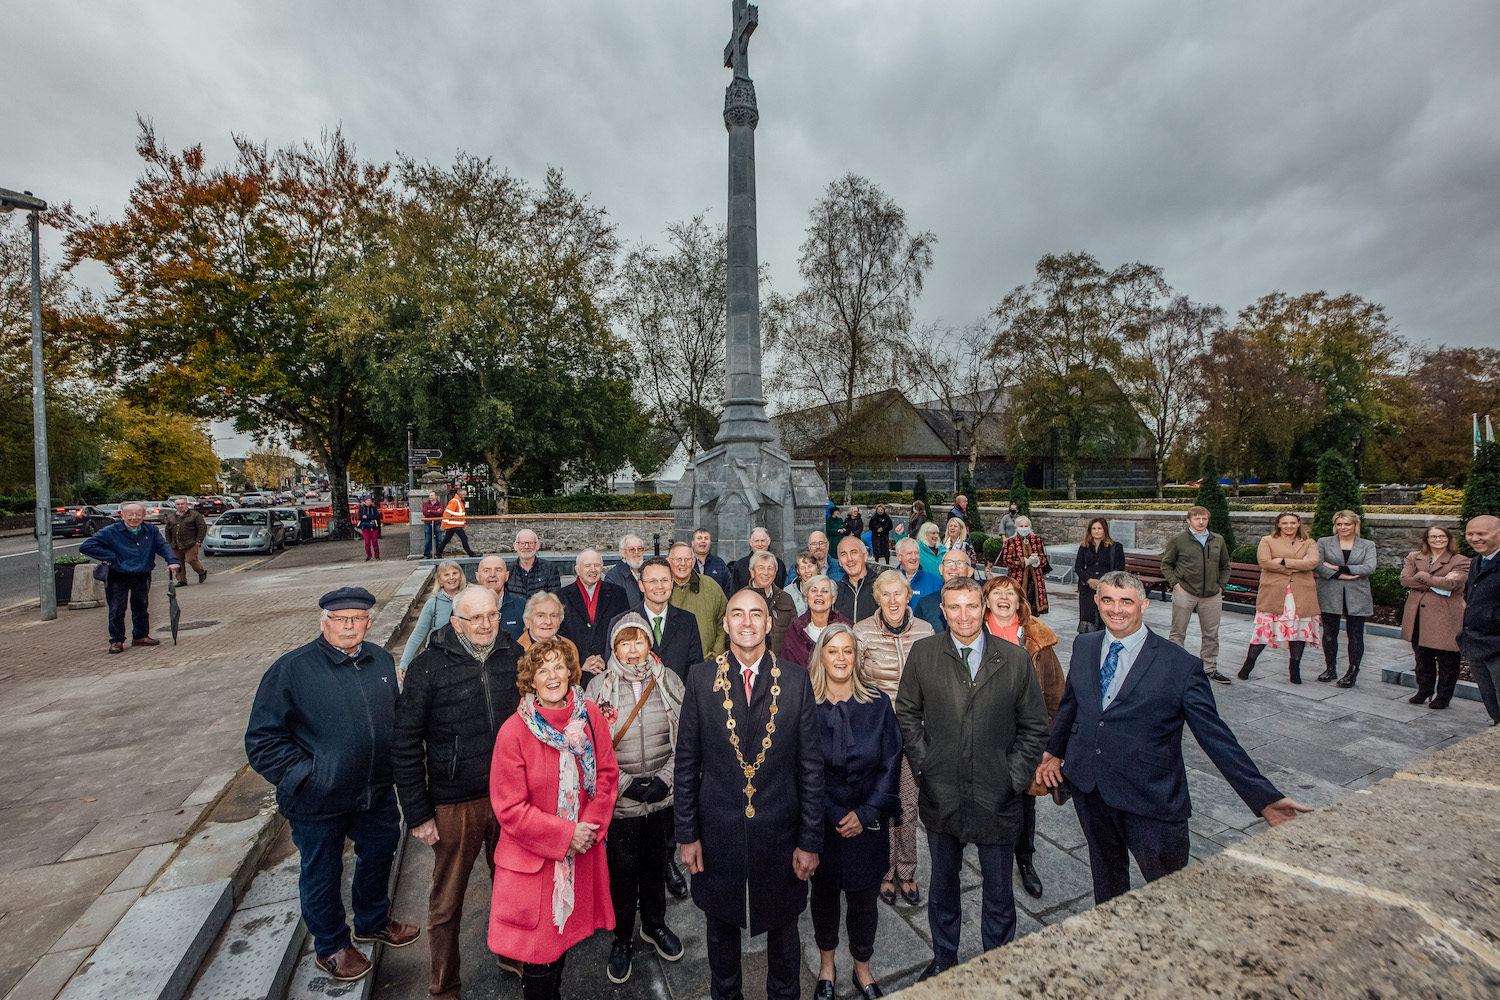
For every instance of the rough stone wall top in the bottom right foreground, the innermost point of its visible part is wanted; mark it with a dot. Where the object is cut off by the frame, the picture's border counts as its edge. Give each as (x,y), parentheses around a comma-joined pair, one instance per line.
(1390,893)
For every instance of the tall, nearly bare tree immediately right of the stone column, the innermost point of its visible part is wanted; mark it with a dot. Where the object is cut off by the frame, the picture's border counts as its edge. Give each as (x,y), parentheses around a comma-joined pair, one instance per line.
(836,341)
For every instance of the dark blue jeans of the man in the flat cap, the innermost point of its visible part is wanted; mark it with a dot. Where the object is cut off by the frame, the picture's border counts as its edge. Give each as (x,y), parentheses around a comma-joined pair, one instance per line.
(376,834)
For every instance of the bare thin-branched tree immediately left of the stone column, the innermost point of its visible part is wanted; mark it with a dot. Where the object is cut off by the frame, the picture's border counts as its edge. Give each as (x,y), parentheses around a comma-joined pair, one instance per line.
(673,307)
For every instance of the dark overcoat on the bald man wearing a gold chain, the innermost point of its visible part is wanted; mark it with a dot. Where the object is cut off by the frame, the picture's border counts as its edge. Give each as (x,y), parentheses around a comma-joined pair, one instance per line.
(710,801)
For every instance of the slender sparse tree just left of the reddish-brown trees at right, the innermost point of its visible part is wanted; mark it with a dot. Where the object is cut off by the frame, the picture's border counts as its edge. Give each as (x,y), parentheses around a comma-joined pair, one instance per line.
(1163,374)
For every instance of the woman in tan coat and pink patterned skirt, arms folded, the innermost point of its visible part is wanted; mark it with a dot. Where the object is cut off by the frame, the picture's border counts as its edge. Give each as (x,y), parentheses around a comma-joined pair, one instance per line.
(1286,605)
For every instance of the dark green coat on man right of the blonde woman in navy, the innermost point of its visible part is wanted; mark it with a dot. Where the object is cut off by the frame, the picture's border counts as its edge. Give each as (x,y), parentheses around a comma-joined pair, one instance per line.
(974,743)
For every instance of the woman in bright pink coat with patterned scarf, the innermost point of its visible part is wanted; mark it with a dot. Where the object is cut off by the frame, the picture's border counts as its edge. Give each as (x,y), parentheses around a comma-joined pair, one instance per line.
(553,785)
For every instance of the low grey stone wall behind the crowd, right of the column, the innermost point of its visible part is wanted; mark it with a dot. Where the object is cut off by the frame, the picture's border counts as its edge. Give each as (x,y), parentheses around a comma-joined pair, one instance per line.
(1150,530)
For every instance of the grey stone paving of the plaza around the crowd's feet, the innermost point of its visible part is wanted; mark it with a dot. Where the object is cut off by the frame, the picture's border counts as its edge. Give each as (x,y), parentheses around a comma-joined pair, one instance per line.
(1315,741)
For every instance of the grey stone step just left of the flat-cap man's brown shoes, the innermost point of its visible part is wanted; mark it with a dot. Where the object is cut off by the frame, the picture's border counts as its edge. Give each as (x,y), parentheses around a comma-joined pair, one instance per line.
(256,954)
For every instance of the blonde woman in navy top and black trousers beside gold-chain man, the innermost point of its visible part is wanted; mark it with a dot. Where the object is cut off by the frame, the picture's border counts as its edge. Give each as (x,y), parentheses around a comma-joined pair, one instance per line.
(862,771)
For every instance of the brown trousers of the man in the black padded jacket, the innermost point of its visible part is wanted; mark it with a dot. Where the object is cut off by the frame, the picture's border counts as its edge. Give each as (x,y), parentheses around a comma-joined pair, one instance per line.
(464,830)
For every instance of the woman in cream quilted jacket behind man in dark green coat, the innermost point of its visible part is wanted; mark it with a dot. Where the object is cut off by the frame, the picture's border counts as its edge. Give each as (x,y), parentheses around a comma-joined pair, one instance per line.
(886,639)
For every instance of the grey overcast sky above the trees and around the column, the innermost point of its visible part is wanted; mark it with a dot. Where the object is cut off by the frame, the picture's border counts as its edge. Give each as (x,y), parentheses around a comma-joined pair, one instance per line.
(1243,148)
